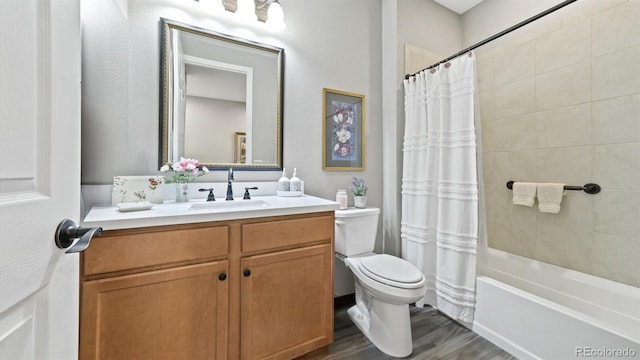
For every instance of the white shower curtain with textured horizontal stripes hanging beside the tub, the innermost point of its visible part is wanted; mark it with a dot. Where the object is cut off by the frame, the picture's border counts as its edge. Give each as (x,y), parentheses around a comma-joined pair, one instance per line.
(439,185)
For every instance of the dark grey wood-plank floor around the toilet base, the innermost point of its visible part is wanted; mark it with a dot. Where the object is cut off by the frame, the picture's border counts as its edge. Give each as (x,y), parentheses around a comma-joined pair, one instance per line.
(435,337)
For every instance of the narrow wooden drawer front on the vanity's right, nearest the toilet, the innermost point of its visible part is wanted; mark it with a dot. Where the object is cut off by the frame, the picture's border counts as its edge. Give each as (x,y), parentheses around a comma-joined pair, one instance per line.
(286,233)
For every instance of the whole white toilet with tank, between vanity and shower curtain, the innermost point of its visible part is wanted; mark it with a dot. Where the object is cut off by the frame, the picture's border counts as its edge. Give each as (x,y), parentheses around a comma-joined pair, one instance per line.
(385,285)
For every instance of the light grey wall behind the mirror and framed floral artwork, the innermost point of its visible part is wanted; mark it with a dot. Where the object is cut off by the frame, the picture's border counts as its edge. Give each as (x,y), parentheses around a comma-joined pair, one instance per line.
(331,43)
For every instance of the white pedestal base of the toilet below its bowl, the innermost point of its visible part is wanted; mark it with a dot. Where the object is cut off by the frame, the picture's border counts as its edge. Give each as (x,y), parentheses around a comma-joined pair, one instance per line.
(387,326)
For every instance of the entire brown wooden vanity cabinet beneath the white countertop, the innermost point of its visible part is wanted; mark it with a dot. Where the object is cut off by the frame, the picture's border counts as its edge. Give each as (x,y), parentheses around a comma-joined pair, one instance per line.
(258,288)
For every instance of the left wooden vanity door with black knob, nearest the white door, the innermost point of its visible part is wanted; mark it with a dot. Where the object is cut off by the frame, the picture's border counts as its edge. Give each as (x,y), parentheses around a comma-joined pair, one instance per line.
(178,313)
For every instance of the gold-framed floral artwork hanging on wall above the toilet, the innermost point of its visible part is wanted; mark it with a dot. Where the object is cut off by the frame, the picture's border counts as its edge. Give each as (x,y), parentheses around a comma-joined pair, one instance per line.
(343,117)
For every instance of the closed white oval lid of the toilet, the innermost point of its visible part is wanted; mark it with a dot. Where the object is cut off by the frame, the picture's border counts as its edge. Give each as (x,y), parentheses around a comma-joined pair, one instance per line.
(392,271)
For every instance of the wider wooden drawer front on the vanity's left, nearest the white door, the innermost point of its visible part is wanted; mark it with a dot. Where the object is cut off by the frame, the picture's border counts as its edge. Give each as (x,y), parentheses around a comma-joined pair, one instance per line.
(133,251)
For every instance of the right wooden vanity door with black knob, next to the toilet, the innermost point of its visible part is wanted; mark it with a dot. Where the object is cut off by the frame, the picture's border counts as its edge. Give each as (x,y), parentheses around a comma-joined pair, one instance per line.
(286,303)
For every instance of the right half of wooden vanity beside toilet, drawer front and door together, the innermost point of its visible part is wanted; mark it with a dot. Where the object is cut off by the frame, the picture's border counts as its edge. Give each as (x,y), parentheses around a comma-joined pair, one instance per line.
(287,294)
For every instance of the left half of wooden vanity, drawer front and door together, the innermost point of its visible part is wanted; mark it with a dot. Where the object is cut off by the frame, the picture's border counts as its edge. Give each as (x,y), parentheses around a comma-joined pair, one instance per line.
(157,293)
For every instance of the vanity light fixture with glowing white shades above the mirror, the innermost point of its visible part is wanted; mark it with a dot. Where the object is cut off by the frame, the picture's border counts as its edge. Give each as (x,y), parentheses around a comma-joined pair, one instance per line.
(268,12)
